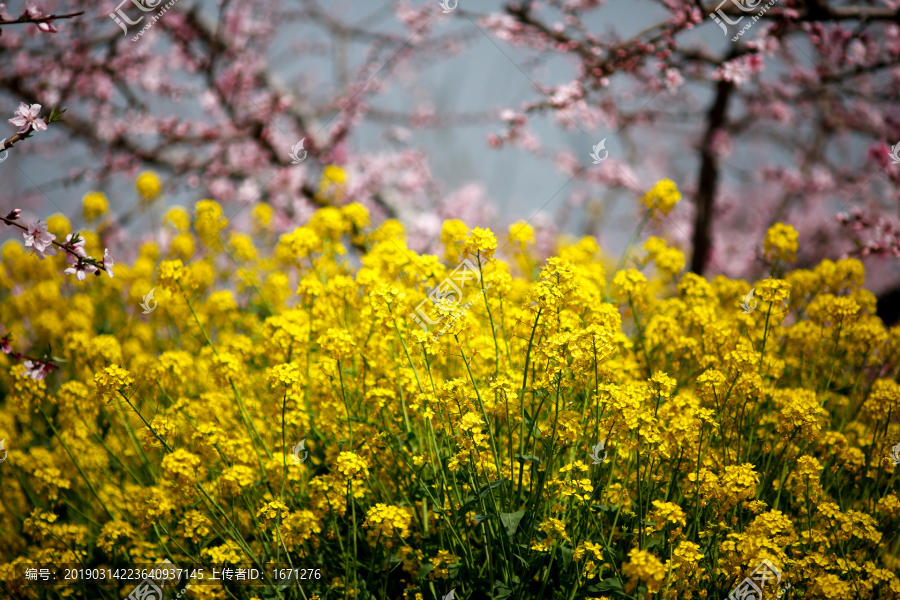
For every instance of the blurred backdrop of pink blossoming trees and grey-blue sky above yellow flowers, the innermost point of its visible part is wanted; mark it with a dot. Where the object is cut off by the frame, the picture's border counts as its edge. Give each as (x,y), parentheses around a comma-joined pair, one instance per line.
(484,111)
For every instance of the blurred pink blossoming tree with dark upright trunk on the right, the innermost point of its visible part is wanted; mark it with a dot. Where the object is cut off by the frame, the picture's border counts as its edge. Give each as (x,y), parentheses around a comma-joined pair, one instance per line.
(679,97)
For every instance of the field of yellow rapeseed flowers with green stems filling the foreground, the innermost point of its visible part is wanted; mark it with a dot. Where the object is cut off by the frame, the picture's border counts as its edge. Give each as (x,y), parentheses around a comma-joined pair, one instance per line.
(580,431)
